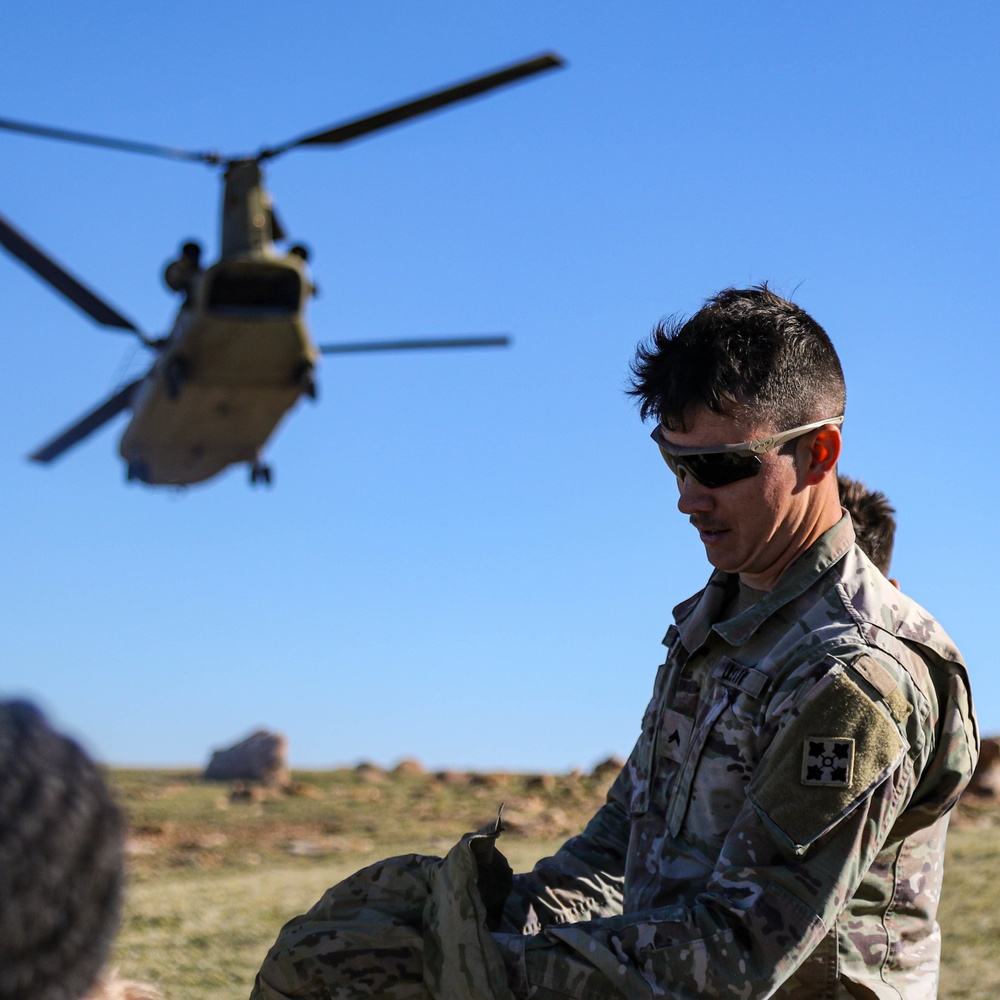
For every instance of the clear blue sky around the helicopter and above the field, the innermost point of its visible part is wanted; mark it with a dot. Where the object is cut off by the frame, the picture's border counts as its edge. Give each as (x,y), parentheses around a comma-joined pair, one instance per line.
(470,558)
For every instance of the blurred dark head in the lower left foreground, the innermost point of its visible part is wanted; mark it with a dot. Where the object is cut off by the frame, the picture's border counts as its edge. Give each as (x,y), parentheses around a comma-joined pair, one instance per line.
(61,864)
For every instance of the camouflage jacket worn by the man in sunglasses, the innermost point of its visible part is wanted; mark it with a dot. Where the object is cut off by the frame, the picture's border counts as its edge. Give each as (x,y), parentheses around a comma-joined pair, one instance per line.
(778,829)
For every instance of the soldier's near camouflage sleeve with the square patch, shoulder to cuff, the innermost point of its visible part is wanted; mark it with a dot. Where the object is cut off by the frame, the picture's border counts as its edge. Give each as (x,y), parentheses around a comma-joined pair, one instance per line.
(824,795)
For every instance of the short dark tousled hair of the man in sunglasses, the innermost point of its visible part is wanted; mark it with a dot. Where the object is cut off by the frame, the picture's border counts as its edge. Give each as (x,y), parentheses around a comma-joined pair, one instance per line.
(745,349)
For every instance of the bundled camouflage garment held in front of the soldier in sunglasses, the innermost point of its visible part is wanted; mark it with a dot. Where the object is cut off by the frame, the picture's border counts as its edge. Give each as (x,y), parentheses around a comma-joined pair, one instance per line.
(408,928)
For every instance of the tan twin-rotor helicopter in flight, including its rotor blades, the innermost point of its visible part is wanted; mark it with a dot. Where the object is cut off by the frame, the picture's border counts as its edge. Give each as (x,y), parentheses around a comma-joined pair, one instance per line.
(239,354)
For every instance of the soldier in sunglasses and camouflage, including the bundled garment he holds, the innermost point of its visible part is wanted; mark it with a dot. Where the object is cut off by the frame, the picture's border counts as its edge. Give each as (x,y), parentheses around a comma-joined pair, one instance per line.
(779,828)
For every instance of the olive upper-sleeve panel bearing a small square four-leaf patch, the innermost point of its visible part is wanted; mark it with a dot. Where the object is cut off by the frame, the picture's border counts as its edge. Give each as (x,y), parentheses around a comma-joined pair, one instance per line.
(829,756)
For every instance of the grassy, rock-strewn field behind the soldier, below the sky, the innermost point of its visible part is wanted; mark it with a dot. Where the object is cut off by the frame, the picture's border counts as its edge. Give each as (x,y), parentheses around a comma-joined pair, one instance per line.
(215,871)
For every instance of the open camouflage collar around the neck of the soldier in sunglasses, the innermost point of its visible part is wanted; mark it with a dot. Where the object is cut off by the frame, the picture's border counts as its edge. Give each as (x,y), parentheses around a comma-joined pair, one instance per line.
(700,614)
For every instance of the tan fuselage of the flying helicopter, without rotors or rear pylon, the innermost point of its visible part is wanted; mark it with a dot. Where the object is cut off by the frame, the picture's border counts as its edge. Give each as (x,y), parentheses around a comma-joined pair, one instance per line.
(236,361)
